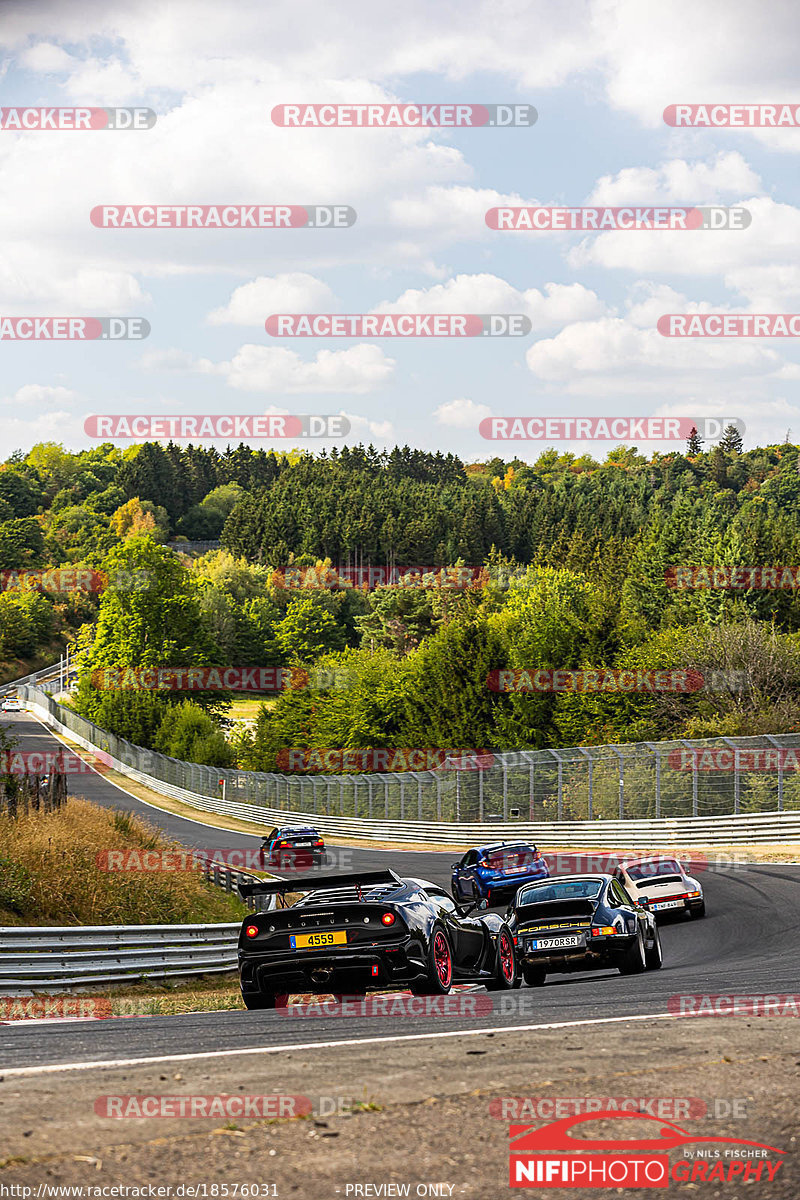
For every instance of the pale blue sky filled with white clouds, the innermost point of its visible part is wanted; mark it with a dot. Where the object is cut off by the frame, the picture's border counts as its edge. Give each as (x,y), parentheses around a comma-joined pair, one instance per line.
(599,76)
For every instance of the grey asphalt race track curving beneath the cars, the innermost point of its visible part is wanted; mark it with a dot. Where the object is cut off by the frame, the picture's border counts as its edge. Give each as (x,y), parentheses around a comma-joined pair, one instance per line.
(748,944)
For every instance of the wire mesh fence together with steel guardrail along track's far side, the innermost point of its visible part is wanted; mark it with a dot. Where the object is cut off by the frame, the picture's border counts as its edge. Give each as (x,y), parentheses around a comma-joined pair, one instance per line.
(709,793)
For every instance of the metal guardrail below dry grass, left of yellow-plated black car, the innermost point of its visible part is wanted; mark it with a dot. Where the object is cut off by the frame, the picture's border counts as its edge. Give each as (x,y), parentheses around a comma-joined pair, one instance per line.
(41,959)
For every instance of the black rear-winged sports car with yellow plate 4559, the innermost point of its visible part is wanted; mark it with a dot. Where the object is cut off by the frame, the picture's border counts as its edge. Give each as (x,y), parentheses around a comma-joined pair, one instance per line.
(369,932)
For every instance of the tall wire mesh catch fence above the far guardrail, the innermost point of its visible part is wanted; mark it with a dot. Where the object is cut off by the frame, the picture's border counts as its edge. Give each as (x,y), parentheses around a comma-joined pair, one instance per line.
(648,781)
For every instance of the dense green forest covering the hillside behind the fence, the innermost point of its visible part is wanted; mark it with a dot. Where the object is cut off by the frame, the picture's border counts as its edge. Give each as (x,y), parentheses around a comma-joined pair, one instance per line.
(570,569)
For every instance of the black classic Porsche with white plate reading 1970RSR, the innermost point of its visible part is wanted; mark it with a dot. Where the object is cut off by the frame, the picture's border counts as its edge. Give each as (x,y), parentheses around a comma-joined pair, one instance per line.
(580,923)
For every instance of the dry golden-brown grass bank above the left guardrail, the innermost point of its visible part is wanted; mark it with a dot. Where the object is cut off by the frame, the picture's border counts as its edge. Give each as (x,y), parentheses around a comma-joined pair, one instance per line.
(50,874)
